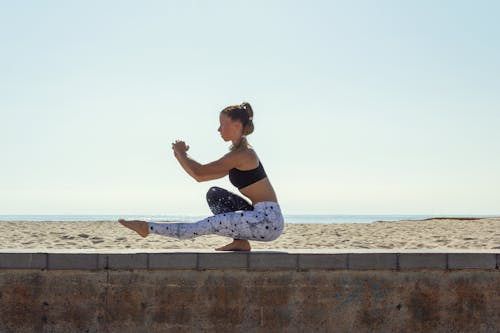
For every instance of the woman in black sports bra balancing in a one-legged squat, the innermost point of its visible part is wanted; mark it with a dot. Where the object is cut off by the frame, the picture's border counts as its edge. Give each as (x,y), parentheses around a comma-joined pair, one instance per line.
(234,217)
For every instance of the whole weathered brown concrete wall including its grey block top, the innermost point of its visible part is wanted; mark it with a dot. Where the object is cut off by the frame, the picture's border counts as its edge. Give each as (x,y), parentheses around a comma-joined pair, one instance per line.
(249,292)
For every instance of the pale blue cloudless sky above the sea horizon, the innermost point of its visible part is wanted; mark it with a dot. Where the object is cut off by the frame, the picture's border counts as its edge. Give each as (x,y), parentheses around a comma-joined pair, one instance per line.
(360,107)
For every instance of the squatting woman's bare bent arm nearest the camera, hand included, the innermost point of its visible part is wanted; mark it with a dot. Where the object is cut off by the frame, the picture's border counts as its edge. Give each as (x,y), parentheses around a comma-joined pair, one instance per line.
(203,172)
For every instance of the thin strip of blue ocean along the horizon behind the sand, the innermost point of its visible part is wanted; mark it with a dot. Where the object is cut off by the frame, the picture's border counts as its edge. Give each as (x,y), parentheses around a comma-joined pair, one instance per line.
(305,219)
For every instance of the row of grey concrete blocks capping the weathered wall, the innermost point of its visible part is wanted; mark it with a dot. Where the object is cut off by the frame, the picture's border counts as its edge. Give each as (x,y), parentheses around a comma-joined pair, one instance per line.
(255,260)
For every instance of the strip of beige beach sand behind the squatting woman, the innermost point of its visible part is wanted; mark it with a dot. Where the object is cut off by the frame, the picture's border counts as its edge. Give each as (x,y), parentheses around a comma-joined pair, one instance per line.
(438,233)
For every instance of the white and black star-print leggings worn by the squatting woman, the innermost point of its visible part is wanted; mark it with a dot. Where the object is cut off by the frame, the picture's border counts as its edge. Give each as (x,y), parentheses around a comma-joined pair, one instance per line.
(234,217)
